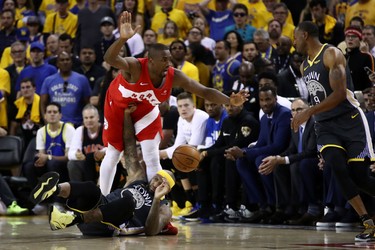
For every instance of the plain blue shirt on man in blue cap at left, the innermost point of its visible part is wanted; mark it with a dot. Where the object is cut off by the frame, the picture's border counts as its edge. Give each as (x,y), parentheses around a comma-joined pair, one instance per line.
(38,74)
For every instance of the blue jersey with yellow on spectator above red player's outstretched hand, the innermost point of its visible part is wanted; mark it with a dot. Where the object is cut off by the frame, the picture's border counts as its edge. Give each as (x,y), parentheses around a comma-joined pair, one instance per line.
(224,74)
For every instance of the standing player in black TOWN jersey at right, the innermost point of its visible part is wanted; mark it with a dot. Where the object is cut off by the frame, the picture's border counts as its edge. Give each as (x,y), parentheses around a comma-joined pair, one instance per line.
(342,131)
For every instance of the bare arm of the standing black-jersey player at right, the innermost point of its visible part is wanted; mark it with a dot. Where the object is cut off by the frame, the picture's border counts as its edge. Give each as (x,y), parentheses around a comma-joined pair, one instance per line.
(335,61)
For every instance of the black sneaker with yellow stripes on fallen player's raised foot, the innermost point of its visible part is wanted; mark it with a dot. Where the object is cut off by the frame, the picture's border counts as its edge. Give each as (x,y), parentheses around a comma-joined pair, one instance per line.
(46,187)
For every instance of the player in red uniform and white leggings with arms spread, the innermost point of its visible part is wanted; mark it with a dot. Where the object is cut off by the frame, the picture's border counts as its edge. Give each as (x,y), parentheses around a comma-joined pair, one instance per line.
(146,82)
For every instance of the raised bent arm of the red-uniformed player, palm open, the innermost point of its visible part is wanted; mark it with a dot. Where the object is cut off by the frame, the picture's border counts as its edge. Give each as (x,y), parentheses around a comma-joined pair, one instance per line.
(126,32)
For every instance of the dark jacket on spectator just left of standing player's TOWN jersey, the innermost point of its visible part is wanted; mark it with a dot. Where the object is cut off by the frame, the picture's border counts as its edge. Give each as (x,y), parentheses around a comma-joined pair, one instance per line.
(287,85)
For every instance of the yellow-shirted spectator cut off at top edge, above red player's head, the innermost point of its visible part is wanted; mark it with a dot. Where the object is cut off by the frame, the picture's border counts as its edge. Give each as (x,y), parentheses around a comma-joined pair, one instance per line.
(167,12)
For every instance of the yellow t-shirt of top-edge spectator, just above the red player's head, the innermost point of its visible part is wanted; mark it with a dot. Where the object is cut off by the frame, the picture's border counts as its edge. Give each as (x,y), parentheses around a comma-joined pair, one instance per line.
(177,16)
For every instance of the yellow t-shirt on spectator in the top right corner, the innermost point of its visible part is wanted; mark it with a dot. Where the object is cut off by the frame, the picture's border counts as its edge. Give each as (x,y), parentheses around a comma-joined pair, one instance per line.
(365,11)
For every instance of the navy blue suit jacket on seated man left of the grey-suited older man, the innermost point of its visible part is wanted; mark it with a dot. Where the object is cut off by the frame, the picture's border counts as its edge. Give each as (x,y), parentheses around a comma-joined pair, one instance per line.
(274,138)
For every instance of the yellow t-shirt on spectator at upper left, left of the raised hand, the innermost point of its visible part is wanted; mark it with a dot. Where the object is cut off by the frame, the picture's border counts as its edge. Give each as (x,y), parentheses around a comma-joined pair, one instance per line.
(56,25)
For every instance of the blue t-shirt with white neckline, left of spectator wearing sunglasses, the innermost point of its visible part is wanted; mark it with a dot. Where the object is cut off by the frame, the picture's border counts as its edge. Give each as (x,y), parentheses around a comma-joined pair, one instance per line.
(218,21)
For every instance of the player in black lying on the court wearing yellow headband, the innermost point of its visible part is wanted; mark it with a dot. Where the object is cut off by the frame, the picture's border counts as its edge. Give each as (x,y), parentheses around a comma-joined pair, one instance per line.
(142,208)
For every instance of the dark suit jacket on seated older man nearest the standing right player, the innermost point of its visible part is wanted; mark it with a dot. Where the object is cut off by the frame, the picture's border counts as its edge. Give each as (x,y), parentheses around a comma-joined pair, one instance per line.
(309,145)
